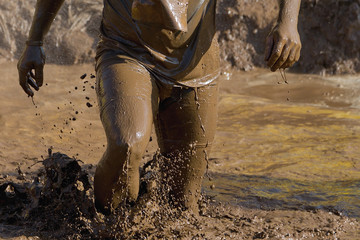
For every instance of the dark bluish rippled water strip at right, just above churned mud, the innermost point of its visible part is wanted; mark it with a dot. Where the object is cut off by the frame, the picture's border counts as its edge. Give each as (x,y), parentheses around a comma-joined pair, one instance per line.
(266,193)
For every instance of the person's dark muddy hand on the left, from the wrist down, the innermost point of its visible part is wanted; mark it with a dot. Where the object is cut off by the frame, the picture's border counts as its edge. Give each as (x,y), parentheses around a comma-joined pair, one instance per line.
(30,68)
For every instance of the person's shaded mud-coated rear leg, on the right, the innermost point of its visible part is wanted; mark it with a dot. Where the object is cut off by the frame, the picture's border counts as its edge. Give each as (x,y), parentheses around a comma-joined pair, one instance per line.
(186,129)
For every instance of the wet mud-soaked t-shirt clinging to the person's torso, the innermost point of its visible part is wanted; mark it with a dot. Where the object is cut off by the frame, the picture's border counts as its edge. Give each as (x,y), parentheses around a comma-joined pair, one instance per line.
(173,39)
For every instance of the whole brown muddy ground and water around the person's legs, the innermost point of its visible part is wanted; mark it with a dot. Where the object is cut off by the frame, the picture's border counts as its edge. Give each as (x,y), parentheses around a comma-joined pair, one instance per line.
(284,164)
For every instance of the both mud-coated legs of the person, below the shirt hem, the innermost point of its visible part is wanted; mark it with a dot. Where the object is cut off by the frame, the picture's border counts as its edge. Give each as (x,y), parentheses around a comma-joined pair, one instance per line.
(130,101)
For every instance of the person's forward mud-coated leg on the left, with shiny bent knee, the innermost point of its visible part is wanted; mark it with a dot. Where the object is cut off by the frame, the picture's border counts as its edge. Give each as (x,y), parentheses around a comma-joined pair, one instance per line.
(127,98)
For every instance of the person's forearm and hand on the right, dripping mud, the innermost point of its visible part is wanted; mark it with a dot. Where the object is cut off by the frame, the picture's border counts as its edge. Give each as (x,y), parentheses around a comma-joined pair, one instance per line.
(283,42)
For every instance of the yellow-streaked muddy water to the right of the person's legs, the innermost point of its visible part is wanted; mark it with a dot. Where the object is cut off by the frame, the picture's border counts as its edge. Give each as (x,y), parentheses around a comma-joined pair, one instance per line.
(286,145)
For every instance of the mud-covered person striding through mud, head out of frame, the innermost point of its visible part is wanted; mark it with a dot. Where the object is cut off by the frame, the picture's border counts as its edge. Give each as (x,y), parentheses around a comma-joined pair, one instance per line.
(157,62)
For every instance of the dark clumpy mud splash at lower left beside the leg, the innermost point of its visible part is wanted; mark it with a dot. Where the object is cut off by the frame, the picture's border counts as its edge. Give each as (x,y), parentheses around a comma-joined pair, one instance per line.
(57,198)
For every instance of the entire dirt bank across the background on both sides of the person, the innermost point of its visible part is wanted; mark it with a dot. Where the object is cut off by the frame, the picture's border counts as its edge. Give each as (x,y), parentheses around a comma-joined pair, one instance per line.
(330,32)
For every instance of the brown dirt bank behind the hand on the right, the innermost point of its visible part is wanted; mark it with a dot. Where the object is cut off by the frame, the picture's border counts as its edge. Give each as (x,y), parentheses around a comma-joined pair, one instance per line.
(330,32)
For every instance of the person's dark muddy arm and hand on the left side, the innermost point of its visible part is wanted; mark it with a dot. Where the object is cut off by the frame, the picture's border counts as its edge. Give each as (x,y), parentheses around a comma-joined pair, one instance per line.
(32,60)
